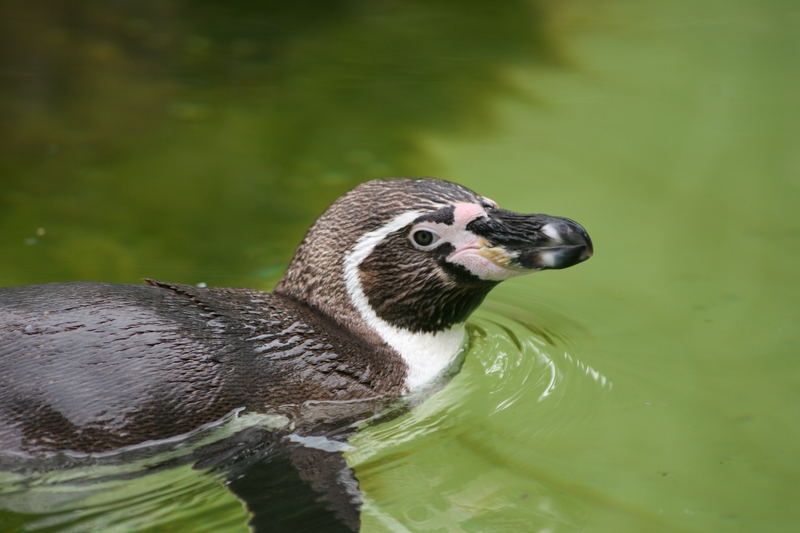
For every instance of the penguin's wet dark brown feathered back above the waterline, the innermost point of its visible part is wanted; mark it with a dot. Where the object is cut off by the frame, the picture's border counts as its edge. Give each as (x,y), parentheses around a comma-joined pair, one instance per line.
(141,362)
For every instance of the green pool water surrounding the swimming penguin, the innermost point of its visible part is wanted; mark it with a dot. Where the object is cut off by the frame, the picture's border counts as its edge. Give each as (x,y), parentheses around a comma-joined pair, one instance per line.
(653,388)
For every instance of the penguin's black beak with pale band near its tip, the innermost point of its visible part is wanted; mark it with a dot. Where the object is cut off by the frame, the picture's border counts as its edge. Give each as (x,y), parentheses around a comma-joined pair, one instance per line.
(521,242)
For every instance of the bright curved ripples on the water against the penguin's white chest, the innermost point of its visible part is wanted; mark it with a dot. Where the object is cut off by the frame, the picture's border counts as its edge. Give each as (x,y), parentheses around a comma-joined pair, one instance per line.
(510,367)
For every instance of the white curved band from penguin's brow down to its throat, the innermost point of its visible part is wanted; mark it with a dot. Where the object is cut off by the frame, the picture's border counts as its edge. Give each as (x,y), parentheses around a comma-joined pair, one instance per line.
(426,355)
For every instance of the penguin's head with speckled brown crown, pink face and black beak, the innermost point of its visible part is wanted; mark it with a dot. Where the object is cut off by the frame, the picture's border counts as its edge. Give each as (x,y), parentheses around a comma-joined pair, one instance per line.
(421,253)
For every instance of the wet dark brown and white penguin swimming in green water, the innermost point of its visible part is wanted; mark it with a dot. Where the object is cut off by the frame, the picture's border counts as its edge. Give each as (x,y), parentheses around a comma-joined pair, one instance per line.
(371,308)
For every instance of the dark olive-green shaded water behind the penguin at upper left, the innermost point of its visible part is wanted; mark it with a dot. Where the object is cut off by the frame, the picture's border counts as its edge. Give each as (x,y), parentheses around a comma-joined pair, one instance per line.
(194,140)
